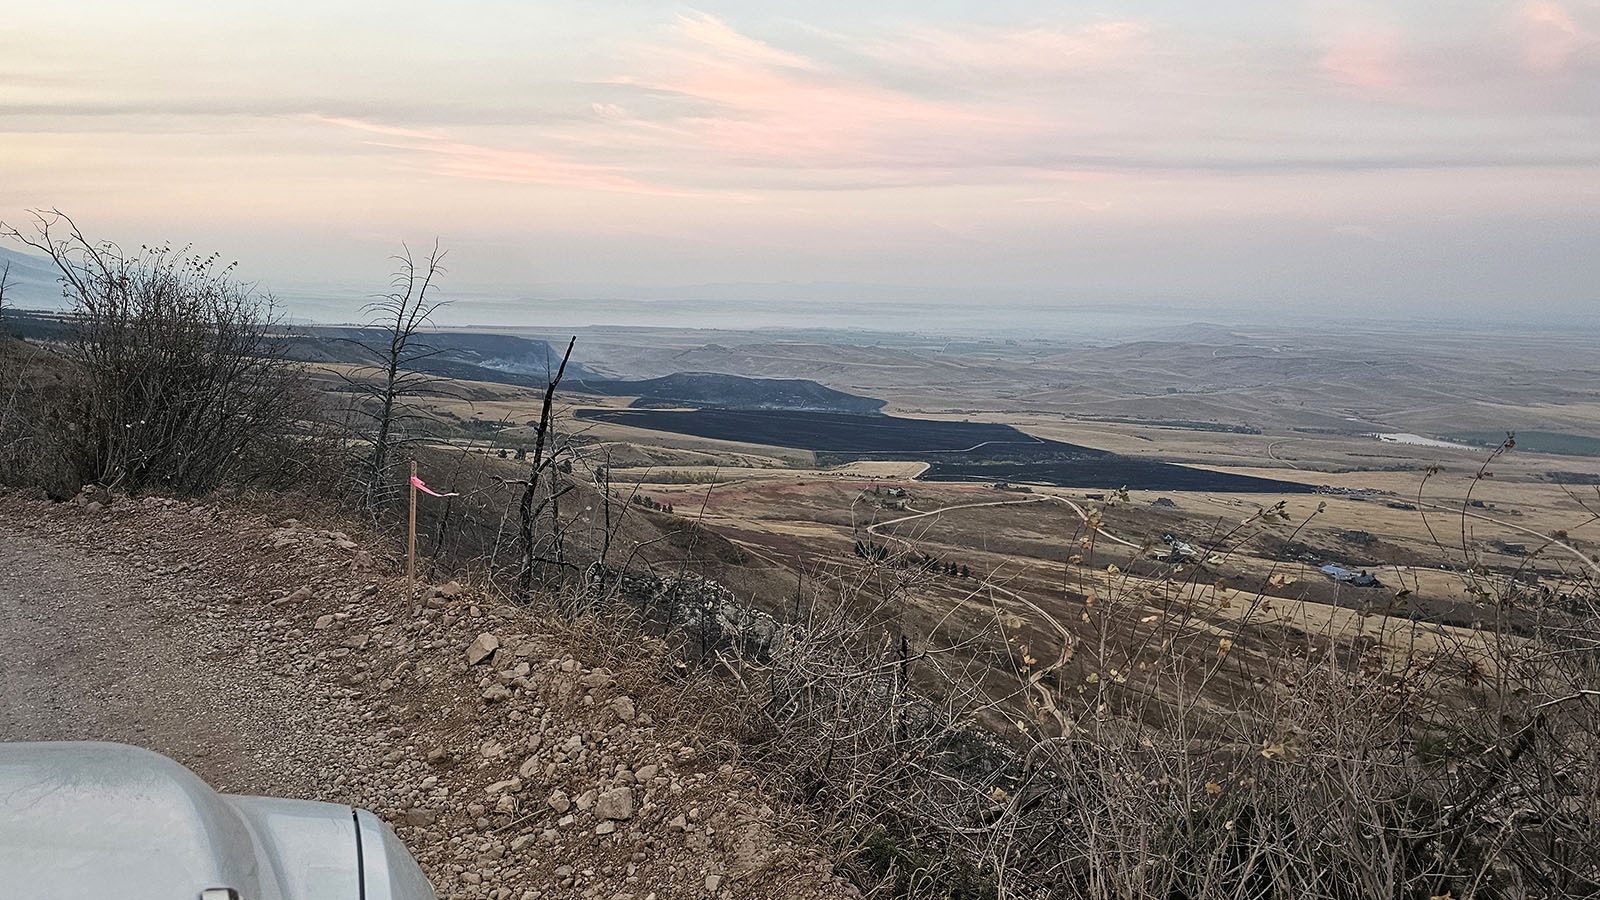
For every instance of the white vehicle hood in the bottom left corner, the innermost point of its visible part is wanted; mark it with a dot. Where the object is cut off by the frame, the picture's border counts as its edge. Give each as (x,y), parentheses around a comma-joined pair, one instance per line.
(113,821)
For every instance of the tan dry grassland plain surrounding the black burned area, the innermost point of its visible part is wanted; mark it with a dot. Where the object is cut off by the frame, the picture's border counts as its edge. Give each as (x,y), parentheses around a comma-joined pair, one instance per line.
(1418,518)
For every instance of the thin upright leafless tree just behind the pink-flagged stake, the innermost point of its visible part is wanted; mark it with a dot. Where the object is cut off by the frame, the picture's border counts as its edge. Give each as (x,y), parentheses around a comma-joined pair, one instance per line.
(391,380)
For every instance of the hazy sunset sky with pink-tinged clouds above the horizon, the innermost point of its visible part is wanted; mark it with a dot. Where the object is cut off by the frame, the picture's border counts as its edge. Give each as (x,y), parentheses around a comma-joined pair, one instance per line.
(1364,159)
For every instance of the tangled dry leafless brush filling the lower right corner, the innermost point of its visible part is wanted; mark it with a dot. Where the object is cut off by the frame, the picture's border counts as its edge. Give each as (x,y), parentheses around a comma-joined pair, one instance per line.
(1194,742)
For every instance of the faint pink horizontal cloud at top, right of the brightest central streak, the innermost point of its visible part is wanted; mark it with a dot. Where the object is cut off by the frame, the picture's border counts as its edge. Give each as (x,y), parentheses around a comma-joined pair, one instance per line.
(1017,50)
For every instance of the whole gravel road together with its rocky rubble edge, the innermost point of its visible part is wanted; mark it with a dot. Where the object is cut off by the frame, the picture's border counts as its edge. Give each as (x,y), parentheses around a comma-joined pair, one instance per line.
(518,760)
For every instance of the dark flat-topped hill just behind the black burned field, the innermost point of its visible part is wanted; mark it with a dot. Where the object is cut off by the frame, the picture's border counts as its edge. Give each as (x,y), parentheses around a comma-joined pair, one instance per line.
(708,390)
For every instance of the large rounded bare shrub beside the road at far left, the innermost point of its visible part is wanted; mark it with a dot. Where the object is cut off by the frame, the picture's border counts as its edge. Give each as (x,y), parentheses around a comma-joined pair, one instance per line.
(178,384)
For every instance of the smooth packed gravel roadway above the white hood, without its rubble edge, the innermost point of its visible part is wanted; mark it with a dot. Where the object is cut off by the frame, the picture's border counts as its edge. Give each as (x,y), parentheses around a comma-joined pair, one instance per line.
(100,648)
